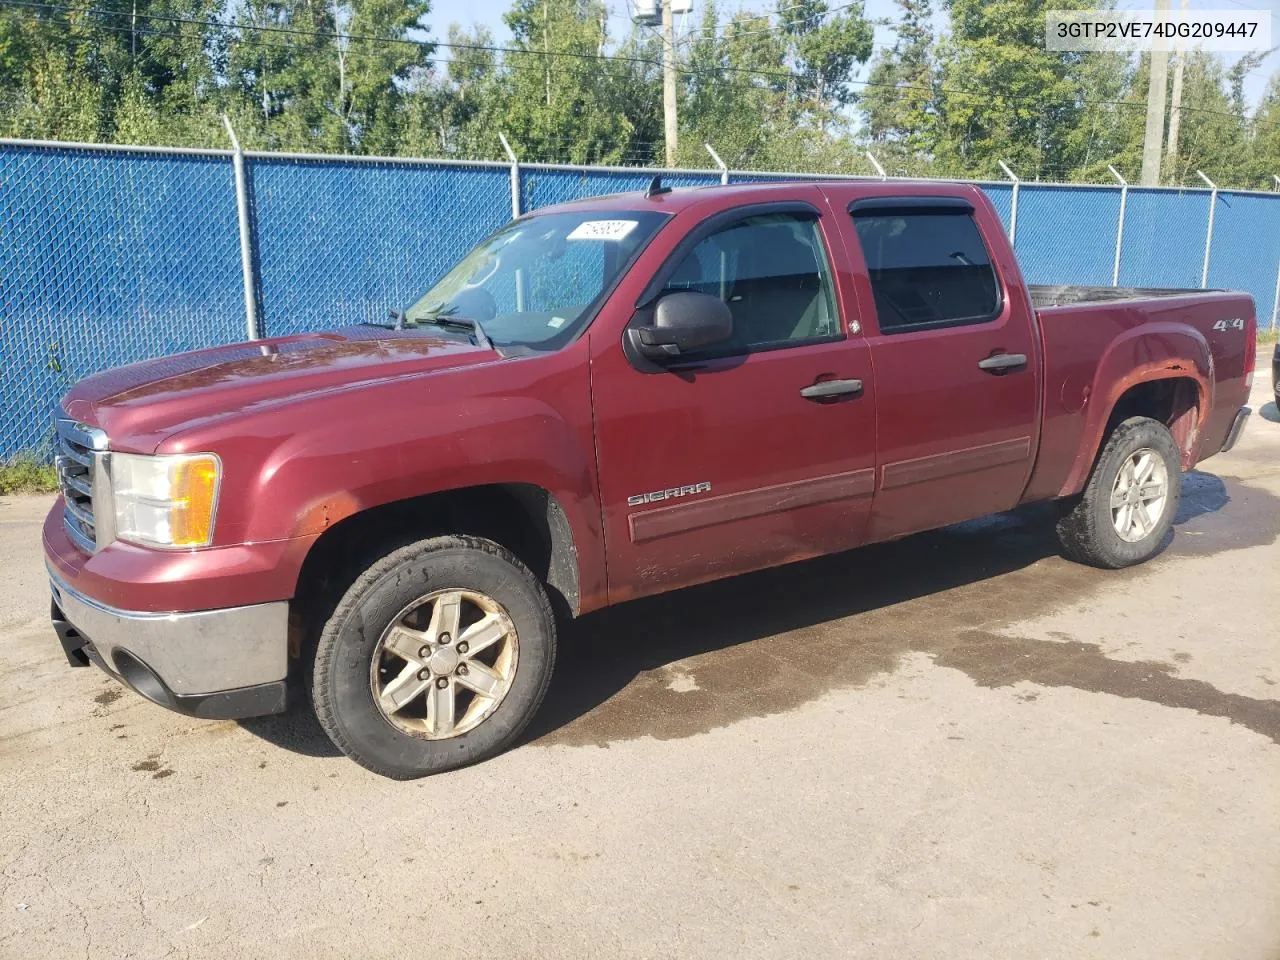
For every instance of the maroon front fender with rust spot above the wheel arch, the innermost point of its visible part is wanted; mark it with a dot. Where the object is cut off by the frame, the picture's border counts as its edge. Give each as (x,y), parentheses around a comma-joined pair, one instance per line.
(294,470)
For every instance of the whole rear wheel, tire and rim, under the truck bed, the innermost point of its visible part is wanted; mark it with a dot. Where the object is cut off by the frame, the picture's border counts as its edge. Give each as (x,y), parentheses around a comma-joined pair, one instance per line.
(1128,505)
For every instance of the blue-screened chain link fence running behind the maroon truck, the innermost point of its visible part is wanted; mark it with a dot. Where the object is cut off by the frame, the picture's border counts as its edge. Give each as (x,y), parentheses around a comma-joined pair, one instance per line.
(113,255)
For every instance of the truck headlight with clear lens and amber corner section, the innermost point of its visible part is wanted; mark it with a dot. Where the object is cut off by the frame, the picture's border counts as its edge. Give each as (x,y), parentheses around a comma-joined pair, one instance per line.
(166,501)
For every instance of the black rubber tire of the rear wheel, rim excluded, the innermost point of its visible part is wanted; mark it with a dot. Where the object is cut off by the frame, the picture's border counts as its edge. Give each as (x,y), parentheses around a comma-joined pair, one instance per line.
(1086,529)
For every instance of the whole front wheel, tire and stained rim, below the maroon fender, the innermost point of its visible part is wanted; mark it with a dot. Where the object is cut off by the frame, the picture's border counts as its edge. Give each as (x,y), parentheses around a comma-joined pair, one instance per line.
(437,657)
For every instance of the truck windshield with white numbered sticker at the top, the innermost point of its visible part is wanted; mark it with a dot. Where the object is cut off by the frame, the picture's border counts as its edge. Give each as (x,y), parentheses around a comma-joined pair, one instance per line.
(536,282)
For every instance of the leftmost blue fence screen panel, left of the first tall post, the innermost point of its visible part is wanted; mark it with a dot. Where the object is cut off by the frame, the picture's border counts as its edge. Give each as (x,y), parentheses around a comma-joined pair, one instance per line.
(108,258)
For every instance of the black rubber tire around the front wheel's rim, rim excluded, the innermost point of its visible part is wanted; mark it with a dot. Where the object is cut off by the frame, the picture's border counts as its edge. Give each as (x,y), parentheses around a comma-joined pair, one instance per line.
(341,688)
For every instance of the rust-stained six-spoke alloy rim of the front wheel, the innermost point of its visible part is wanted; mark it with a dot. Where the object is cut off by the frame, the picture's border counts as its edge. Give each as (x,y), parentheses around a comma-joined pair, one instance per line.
(445,664)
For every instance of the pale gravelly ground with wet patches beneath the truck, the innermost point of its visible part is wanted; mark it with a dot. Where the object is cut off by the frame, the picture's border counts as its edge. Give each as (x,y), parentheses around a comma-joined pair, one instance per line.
(957,746)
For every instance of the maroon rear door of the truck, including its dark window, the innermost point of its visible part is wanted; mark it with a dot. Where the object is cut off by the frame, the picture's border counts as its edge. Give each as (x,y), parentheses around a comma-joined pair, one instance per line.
(956,360)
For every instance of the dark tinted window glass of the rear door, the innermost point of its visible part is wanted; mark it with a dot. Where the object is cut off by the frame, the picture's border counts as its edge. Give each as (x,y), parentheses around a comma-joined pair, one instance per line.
(929,269)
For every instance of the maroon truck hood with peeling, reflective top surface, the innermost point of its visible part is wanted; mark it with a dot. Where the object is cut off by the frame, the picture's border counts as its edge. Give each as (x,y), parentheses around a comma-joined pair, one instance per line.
(141,404)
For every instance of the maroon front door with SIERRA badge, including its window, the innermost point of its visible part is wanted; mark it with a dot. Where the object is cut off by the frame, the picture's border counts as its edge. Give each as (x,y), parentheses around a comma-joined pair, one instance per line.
(753,454)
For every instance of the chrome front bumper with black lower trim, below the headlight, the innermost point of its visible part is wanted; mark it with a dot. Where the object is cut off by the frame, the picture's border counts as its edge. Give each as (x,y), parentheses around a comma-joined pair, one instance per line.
(225,664)
